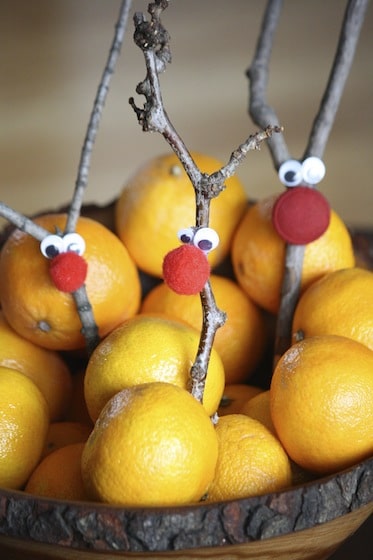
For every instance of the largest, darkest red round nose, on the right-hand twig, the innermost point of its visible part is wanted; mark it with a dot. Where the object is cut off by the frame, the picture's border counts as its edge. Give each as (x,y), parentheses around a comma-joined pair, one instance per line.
(301,215)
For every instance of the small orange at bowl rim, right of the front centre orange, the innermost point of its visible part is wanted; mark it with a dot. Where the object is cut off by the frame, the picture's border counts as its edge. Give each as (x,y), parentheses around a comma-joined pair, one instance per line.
(251,460)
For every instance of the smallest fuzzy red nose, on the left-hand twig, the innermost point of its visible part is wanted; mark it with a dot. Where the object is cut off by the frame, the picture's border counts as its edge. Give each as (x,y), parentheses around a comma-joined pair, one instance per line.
(68,271)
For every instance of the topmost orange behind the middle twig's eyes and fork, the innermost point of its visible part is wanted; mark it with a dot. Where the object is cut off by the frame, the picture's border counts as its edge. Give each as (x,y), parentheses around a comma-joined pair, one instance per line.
(159,200)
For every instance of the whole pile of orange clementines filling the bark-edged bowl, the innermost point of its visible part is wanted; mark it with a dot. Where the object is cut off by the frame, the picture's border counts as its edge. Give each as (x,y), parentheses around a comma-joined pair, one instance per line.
(122,424)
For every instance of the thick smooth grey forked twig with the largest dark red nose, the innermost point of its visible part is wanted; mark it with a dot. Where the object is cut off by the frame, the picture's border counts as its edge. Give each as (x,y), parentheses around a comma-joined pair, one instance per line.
(261,112)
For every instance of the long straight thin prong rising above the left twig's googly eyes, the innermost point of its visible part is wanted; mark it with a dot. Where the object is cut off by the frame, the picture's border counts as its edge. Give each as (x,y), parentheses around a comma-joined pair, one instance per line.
(94,122)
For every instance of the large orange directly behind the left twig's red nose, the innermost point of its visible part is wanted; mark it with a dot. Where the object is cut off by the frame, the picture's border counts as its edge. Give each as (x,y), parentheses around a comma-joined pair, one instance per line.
(38,311)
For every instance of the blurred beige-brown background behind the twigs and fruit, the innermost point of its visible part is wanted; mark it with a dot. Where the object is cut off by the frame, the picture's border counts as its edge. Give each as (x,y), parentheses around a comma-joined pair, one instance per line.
(52,56)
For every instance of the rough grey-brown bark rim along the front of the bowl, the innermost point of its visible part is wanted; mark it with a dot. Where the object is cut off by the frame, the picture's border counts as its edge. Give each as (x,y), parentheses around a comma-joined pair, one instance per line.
(93,525)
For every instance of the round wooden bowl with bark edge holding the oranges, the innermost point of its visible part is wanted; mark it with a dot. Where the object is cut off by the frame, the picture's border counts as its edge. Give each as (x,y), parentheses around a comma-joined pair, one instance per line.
(305,522)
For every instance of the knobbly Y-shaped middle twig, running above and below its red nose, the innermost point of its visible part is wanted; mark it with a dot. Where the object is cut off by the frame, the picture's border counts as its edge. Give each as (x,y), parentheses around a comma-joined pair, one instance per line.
(153,40)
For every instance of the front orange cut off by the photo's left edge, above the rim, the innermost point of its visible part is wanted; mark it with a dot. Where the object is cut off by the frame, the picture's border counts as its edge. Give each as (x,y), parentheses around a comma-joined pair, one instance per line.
(24,420)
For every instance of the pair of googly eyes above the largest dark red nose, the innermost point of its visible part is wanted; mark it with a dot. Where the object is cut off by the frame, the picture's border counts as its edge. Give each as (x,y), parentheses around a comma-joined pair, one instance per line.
(293,173)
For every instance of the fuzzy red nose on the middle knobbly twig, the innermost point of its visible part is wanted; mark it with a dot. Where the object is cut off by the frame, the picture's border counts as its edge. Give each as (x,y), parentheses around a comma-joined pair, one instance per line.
(186,270)
